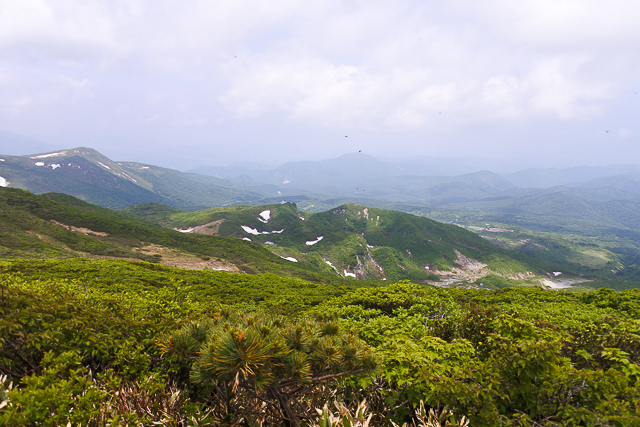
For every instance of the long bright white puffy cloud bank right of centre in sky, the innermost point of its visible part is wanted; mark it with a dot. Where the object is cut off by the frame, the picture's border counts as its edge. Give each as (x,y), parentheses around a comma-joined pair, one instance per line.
(314,90)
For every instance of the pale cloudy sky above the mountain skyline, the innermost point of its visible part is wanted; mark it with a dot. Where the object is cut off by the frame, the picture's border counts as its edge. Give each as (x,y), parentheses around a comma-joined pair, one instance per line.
(199,82)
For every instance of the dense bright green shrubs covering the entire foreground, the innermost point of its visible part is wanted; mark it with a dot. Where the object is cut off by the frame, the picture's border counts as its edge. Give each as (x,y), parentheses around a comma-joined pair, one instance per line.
(103,342)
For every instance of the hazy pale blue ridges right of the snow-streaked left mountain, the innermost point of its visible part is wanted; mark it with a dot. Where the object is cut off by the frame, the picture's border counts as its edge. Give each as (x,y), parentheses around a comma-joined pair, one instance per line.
(361,176)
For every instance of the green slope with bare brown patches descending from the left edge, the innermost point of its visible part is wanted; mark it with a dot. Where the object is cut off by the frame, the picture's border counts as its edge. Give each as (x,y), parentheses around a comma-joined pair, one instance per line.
(59,226)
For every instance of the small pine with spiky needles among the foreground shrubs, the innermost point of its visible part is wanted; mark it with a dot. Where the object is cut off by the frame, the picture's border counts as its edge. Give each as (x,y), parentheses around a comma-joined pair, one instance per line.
(266,368)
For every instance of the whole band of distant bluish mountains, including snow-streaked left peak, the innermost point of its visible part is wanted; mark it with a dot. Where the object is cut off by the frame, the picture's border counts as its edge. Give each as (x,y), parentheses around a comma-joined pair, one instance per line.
(91,176)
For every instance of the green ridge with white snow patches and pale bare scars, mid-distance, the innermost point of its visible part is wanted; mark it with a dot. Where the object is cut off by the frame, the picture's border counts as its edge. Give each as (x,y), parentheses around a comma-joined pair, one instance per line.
(357,241)
